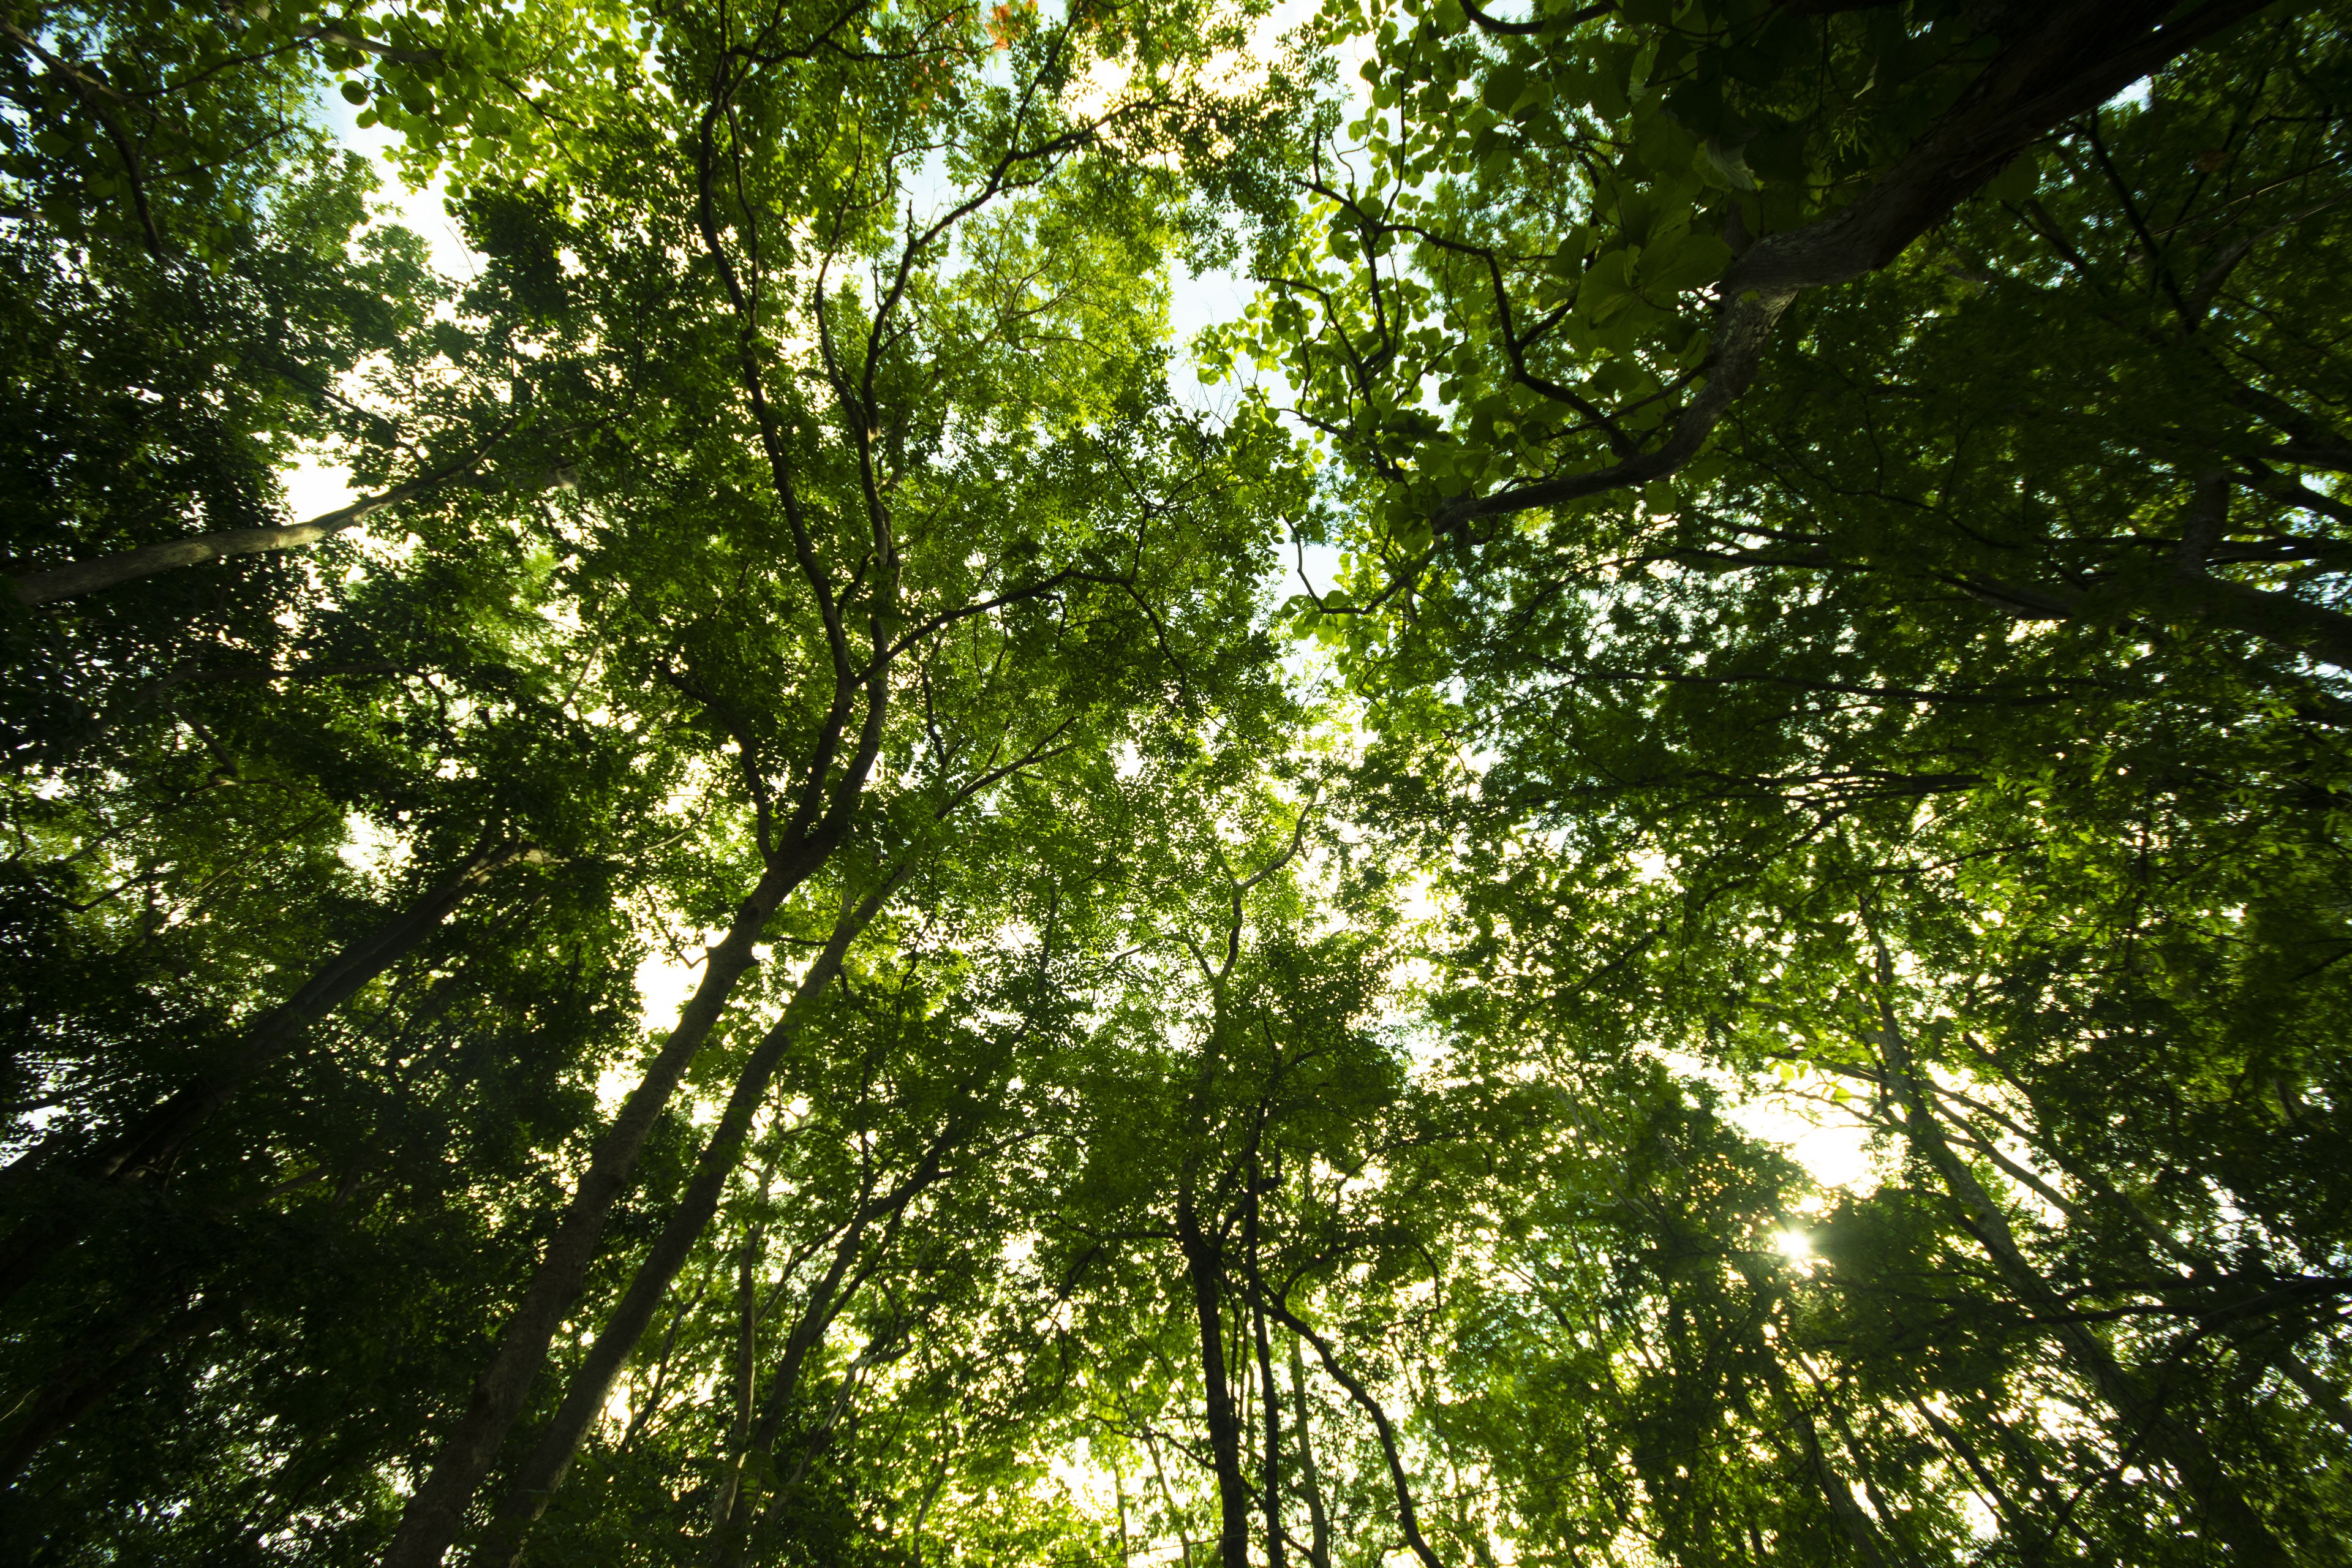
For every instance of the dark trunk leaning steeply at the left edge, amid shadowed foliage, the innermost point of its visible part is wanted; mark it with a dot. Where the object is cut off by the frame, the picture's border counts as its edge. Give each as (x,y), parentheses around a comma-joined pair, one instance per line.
(149,1151)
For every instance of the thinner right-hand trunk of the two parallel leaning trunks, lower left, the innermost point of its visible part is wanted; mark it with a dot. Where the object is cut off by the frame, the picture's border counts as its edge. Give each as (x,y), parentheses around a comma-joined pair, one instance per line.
(592,1386)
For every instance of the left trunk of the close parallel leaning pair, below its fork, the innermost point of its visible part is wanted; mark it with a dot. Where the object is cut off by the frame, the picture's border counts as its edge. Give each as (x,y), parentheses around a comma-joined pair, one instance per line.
(439,1506)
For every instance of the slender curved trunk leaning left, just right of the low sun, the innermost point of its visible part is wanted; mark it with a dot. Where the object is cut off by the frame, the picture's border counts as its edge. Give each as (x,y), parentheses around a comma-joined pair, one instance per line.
(2141,1412)
